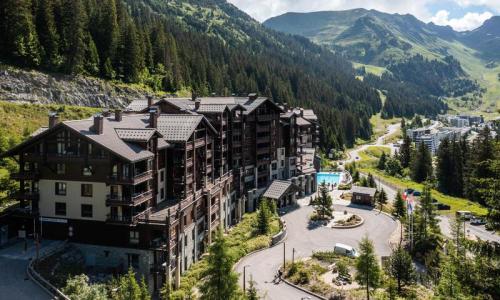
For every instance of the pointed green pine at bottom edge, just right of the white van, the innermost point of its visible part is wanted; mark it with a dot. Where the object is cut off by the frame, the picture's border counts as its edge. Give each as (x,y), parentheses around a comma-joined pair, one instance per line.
(367,268)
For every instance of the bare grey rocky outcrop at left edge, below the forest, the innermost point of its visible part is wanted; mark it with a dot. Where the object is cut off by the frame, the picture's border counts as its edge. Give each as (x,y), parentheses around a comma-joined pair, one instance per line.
(18,85)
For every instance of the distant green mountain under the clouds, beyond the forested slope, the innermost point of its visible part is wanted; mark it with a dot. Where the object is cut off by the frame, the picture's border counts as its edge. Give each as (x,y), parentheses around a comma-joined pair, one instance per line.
(460,67)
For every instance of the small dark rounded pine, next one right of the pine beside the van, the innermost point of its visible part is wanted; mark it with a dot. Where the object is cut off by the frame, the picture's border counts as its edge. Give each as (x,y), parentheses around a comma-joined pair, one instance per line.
(401,267)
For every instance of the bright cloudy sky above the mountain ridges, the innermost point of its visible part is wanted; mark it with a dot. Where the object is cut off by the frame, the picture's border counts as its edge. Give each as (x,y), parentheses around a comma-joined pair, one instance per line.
(462,15)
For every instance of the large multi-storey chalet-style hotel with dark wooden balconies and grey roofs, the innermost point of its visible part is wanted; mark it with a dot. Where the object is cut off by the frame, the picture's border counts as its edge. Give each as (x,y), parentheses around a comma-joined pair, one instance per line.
(147,187)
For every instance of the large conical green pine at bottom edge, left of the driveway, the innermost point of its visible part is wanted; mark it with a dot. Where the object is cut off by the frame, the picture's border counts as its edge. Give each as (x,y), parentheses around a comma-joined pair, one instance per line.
(221,281)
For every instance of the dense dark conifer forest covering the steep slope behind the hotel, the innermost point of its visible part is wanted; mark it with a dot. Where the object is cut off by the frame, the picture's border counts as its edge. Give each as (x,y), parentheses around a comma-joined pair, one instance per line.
(148,42)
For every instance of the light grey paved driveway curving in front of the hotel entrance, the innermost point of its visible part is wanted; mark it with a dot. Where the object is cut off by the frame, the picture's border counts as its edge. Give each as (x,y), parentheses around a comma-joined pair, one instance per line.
(263,265)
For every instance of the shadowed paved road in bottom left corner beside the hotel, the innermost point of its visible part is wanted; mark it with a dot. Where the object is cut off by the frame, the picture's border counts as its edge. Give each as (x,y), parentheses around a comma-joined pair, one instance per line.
(14,283)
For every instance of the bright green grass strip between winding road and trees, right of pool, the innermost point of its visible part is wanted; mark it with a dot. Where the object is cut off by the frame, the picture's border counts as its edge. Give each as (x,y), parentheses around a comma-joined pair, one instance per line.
(370,157)
